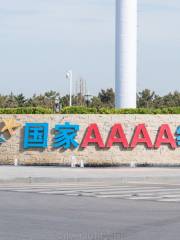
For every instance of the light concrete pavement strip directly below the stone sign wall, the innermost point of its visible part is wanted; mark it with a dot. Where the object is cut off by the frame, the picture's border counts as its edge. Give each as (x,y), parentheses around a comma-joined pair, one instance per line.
(59,174)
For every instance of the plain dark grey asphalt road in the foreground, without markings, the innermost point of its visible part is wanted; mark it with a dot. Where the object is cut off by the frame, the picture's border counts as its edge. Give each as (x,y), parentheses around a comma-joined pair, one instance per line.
(32,216)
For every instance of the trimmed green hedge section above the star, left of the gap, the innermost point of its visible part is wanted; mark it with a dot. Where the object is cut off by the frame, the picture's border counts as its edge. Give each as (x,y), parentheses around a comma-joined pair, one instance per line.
(26,110)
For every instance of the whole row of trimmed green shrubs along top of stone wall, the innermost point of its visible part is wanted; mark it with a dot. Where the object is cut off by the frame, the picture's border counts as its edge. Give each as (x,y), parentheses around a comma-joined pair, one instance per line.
(85,110)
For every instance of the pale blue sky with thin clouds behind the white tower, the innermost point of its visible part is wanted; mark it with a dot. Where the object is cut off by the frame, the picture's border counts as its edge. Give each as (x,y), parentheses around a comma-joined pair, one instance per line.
(41,39)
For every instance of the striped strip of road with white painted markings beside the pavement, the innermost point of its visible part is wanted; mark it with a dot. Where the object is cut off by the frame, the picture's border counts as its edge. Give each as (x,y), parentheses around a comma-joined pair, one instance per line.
(131,191)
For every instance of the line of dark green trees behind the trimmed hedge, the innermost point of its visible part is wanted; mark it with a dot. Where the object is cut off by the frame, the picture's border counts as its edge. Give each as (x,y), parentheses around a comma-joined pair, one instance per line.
(104,99)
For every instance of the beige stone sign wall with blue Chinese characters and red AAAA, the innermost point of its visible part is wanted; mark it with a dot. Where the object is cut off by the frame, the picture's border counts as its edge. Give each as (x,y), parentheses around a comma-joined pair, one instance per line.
(91,139)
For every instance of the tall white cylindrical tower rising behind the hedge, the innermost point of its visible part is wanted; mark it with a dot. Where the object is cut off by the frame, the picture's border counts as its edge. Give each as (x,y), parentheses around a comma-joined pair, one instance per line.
(126,53)
